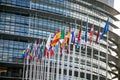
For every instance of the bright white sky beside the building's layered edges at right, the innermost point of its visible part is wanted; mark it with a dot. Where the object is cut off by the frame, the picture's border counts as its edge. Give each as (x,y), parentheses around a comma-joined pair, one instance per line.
(117,23)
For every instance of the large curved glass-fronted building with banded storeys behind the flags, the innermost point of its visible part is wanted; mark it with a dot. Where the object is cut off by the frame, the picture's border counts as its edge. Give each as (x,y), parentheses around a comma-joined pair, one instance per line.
(24,21)
